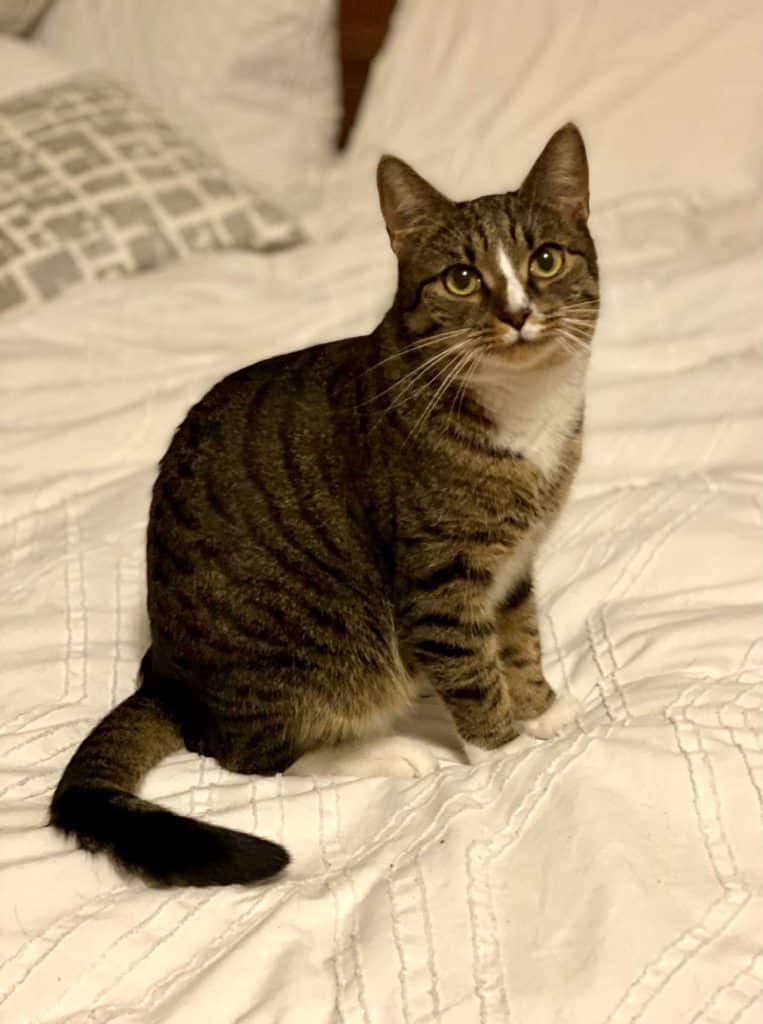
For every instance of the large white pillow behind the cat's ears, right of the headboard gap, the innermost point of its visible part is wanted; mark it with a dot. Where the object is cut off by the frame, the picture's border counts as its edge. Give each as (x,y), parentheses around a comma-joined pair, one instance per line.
(668,96)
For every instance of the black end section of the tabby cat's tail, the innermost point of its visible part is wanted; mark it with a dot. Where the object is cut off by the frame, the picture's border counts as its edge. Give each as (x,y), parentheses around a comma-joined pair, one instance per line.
(163,848)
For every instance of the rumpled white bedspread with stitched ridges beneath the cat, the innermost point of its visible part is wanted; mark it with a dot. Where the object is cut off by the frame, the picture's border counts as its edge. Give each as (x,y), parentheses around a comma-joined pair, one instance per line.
(612,875)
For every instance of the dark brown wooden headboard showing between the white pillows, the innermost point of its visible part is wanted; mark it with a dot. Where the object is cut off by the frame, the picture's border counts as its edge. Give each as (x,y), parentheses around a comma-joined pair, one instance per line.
(363,26)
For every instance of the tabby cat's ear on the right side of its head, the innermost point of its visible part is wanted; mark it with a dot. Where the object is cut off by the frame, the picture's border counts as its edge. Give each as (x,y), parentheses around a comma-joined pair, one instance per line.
(561,175)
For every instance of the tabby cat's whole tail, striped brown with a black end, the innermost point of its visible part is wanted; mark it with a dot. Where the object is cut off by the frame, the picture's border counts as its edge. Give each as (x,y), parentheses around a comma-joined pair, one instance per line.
(96,801)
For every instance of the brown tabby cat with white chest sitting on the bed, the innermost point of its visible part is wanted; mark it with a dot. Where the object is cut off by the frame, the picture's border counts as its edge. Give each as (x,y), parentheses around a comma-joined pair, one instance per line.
(332,526)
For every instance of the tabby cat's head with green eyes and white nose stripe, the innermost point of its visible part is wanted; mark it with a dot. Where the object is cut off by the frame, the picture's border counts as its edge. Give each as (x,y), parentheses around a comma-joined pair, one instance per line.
(515,275)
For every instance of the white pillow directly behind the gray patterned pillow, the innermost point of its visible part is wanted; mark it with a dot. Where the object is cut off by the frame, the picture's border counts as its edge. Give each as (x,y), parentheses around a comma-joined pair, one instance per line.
(257,81)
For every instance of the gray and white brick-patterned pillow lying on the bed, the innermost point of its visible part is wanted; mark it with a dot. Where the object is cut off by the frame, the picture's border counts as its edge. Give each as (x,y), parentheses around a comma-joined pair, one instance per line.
(95,185)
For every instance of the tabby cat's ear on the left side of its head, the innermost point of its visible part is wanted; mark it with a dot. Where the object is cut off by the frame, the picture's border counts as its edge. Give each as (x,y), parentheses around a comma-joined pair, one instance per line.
(407,201)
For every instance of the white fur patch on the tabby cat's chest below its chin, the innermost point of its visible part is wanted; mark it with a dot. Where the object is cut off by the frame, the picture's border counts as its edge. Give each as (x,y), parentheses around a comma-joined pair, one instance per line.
(536,412)
